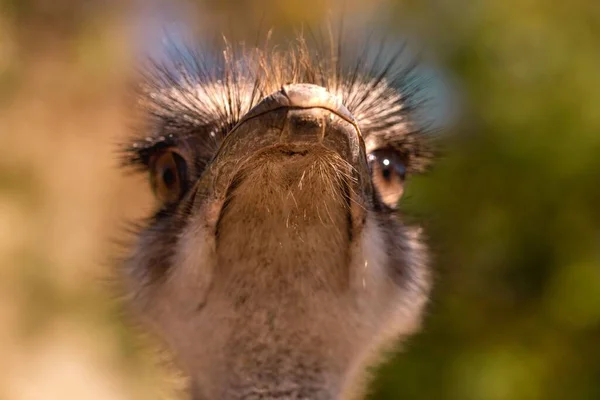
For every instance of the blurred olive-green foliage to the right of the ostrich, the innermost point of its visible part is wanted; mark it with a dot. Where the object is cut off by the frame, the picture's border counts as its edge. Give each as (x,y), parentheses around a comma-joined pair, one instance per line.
(513,208)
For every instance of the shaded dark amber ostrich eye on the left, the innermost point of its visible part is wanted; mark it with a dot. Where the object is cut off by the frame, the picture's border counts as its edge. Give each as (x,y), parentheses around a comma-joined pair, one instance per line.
(168,172)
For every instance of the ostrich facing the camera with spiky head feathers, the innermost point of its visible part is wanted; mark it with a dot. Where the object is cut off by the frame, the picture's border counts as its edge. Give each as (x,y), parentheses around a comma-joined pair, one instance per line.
(277,265)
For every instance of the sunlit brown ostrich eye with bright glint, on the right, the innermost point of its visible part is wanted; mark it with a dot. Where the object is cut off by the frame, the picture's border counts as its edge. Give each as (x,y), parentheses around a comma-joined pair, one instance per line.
(388,172)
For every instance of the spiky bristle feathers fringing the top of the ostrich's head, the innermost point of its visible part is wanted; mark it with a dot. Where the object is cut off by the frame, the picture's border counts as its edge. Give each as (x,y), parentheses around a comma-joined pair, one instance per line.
(205,93)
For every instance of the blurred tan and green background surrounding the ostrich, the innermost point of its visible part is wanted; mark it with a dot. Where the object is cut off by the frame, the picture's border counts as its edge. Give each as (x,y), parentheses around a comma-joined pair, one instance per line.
(512,209)
